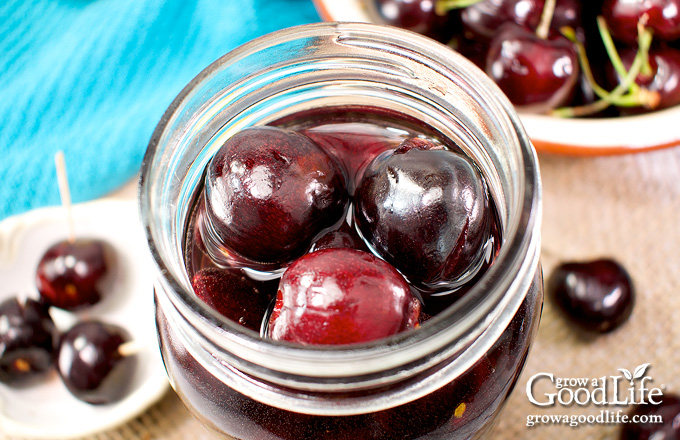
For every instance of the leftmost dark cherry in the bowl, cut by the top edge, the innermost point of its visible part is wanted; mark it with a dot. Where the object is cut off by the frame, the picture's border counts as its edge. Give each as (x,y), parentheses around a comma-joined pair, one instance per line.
(417,16)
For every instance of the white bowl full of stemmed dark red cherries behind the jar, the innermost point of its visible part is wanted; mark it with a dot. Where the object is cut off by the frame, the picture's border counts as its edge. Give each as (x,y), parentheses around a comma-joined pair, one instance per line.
(587,77)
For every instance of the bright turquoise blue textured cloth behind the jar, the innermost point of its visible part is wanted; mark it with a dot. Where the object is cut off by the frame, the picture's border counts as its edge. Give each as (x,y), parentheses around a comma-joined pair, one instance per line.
(93,78)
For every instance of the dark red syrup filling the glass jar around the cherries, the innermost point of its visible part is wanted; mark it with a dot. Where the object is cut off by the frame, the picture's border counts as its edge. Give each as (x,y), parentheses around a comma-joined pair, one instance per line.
(460,409)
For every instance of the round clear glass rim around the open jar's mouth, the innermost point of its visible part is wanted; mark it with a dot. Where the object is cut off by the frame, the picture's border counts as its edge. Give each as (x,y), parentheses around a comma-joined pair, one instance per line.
(518,253)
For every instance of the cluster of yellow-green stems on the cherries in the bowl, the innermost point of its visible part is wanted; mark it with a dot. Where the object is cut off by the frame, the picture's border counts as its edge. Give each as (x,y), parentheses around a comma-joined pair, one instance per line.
(627,93)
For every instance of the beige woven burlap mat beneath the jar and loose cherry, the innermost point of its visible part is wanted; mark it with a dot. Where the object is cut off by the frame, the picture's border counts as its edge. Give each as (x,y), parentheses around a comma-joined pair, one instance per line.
(625,207)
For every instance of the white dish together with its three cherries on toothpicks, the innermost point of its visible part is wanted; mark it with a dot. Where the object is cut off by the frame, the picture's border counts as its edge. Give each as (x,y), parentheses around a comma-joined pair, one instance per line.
(78,354)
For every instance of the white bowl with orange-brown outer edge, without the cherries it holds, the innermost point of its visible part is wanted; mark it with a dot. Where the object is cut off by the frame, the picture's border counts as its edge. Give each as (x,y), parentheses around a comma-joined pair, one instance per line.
(557,135)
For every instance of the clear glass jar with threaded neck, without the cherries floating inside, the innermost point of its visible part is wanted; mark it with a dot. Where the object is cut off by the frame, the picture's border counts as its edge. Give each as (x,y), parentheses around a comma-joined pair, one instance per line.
(450,377)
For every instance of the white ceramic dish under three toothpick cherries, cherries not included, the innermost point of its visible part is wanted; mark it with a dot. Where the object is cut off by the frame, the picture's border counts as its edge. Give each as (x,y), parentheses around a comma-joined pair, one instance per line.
(48,410)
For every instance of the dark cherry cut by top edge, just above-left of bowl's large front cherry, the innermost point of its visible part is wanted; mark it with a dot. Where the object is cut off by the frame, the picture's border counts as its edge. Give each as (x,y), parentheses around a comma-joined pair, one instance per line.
(482,20)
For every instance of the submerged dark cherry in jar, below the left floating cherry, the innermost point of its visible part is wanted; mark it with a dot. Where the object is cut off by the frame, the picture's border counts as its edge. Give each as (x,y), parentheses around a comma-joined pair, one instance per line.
(234,295)
